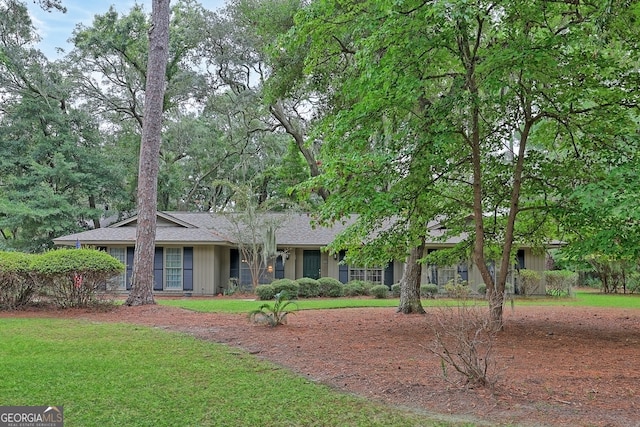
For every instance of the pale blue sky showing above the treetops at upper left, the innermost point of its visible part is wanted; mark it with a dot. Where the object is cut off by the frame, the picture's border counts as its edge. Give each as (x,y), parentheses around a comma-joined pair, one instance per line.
(55,27)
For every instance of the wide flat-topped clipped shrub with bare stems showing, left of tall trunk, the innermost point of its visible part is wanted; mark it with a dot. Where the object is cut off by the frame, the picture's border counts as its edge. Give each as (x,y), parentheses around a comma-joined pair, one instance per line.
(75,277)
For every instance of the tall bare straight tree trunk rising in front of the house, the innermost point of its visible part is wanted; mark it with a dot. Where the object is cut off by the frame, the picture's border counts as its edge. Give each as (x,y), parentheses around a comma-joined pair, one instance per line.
(142,275)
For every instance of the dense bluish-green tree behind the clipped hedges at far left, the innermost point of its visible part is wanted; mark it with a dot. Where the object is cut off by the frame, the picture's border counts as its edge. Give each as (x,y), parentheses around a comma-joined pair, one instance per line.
(52,165)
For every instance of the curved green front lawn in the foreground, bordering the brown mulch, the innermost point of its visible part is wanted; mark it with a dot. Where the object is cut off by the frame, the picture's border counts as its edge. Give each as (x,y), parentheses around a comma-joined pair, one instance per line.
(125,375)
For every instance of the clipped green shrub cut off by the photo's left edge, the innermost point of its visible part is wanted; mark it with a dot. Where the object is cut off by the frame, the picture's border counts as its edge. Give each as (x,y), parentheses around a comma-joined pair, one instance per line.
(17,287)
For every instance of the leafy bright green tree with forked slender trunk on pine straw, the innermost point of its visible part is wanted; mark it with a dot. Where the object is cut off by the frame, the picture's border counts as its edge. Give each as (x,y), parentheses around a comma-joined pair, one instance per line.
(464,113)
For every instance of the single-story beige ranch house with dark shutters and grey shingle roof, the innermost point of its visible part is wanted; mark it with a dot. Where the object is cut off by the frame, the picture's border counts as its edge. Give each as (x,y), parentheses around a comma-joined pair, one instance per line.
(197,254)
